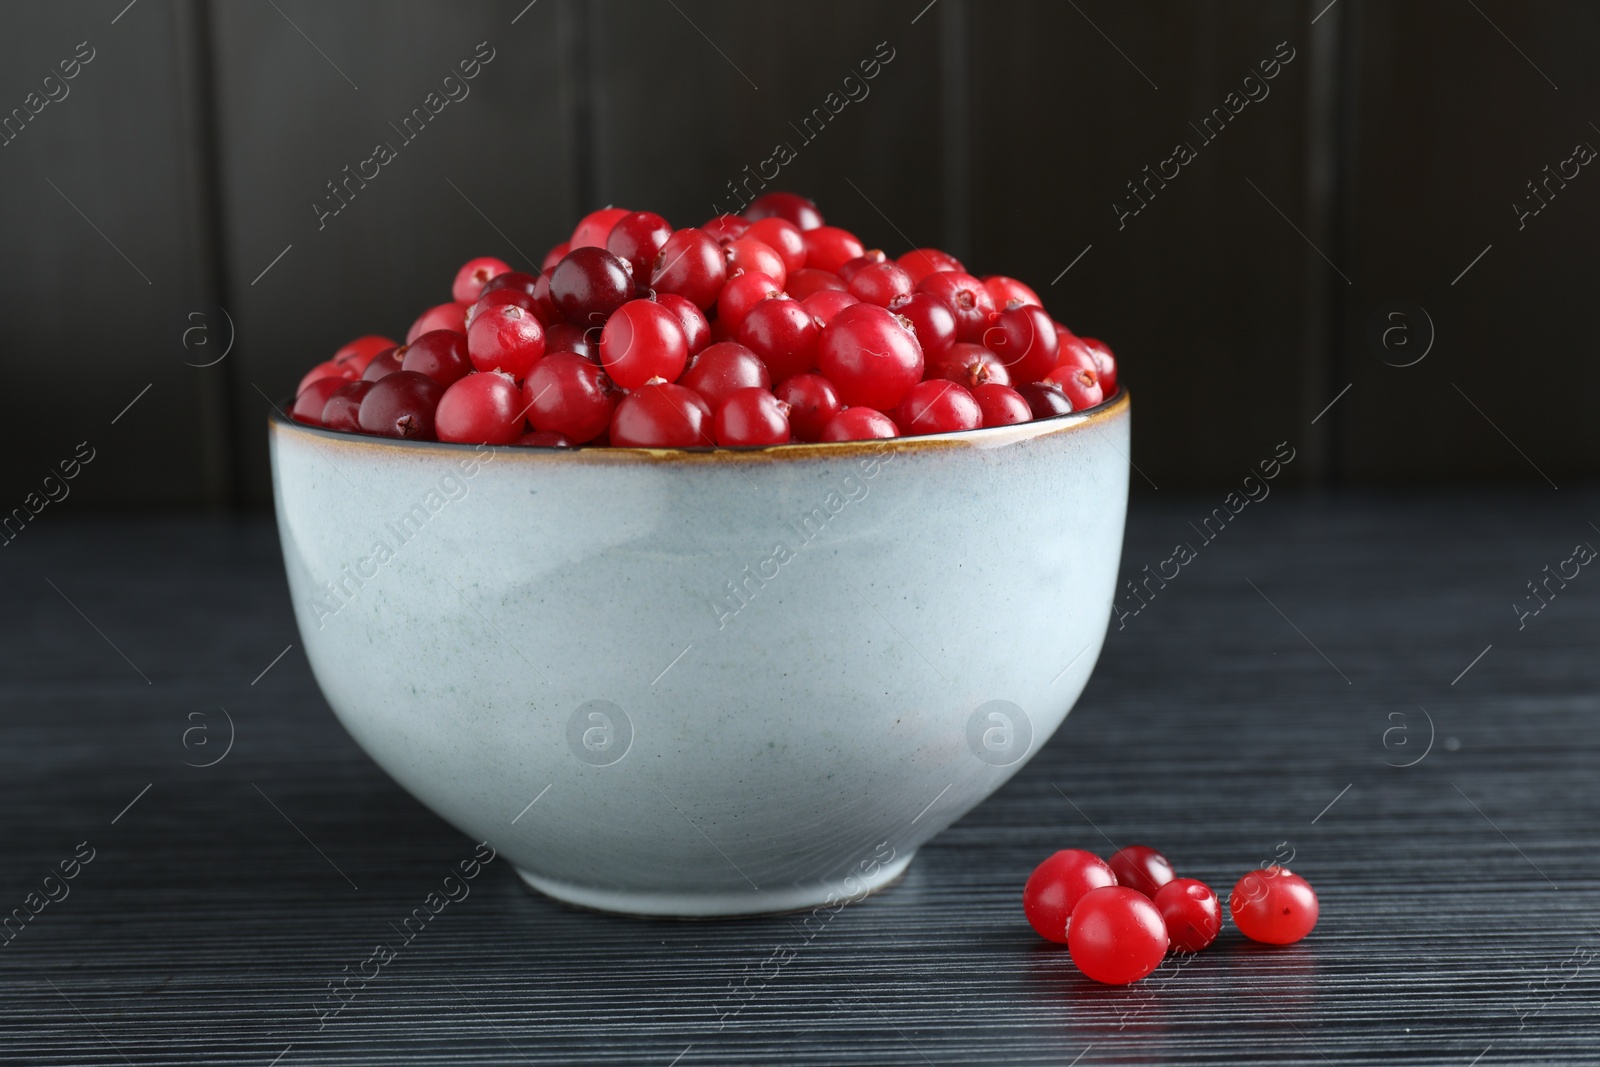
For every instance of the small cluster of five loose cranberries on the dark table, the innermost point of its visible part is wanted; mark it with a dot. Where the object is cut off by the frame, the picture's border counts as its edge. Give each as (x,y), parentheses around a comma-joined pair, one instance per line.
(1119,919)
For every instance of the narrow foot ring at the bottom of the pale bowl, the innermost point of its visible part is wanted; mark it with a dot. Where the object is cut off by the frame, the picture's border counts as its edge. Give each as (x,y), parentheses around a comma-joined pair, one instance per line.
(732,905)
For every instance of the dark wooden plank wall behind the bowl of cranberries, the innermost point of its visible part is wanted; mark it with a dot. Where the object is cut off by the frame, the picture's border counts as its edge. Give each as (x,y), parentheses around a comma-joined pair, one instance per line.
(159,214)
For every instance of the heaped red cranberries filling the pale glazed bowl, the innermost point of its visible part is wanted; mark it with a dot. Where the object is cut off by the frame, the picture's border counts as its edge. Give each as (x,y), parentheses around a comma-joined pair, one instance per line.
(762,329)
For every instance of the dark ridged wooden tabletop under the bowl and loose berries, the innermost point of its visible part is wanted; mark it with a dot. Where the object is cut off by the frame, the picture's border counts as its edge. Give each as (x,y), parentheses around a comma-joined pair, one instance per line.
(1262,706)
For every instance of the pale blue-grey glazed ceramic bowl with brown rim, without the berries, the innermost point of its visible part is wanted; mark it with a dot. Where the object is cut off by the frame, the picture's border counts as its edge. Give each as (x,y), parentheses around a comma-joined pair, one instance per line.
(706,682)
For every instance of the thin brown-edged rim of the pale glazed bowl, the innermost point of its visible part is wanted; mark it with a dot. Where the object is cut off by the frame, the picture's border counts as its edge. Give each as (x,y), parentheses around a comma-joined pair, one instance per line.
(985,438)
